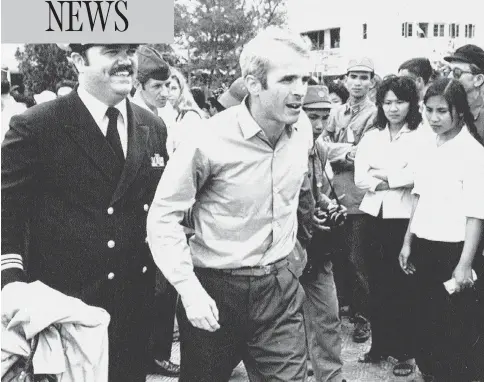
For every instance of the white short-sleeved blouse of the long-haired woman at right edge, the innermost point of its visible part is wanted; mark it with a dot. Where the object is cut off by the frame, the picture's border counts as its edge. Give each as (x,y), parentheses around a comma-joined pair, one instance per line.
(450,185)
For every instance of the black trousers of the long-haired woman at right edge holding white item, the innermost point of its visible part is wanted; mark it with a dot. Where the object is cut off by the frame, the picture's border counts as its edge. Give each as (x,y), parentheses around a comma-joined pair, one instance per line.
(447,331)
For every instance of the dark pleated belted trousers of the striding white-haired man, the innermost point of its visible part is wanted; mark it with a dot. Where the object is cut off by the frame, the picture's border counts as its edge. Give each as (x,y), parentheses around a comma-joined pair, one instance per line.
(261,323)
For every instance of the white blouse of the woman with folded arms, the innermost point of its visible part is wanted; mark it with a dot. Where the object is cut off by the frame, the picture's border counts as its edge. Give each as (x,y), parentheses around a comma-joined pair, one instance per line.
(395,157)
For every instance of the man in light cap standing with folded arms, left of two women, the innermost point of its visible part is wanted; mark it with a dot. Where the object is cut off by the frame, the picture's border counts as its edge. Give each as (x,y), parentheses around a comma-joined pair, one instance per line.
(347,125)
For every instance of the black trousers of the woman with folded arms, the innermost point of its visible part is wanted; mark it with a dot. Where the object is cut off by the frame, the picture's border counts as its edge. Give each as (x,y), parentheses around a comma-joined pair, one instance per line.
(391,315)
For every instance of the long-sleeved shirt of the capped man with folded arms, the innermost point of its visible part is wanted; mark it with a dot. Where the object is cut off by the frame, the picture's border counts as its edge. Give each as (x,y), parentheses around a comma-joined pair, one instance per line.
(347,126)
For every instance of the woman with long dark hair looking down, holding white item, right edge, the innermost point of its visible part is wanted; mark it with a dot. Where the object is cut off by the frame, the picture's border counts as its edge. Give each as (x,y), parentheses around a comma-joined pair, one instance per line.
(442,241)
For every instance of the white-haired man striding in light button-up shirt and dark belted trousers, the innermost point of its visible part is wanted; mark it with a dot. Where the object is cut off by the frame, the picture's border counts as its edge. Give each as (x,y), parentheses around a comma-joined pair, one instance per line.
(241,175)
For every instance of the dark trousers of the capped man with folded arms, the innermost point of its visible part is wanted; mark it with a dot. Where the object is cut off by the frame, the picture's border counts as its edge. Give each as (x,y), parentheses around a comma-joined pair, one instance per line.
(351,273)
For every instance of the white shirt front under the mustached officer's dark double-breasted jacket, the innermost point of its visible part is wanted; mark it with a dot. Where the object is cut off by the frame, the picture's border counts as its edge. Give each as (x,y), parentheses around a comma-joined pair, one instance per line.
(98,112)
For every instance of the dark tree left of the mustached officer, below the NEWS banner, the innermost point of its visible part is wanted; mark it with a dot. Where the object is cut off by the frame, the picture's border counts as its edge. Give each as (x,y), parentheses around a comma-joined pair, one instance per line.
(43,66)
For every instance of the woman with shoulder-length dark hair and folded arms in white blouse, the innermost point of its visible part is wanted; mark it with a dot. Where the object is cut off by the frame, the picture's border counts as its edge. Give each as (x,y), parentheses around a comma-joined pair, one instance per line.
(383,167)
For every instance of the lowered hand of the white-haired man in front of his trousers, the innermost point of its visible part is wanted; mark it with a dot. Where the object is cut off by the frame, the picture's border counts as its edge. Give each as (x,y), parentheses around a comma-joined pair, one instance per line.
(202,311)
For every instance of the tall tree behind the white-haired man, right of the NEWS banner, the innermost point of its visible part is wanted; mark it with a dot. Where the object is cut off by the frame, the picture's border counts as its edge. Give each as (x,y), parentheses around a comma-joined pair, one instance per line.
(214,31)
